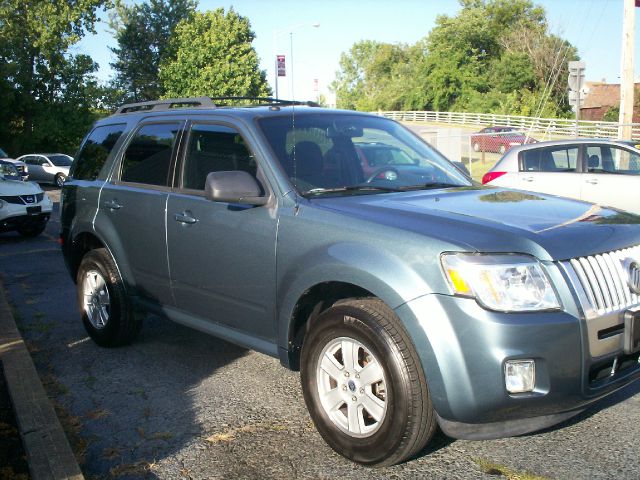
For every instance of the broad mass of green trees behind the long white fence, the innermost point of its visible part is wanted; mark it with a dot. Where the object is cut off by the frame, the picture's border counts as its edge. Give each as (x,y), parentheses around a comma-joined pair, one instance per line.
(493,56)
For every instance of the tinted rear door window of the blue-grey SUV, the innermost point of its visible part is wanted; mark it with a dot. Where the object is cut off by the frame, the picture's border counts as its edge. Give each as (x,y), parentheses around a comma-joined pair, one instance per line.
(147,158)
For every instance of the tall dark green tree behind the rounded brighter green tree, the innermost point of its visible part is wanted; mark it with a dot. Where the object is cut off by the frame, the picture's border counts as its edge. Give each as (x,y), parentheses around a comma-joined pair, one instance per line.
(143,32)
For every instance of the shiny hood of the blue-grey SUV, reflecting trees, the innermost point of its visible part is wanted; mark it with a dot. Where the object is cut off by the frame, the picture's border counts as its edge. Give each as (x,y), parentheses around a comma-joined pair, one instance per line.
(487,219)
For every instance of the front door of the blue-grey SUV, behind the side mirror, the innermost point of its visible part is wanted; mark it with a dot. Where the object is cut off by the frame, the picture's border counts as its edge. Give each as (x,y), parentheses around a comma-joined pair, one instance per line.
(222,255)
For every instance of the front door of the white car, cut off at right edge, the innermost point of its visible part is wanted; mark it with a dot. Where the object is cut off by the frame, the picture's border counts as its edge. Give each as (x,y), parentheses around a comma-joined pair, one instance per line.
(612,177)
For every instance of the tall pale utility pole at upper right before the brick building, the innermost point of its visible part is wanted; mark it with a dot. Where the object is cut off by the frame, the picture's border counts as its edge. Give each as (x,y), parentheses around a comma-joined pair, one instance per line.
(627,70)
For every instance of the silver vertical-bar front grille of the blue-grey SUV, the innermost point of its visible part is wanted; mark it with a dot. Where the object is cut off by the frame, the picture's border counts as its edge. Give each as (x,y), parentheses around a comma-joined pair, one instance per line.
(604,279)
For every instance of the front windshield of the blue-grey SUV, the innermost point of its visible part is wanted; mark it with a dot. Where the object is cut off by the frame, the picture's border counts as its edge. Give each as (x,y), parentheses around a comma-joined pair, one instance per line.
(338,154)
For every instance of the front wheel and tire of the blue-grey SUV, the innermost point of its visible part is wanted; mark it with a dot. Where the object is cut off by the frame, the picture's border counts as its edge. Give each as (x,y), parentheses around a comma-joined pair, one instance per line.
(395,417)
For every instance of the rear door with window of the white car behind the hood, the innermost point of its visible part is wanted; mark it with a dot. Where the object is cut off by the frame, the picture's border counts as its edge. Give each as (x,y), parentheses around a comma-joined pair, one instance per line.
(553,170)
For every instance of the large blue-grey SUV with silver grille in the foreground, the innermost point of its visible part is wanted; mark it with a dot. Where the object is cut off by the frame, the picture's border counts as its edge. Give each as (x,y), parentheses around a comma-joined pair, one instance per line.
(409,297)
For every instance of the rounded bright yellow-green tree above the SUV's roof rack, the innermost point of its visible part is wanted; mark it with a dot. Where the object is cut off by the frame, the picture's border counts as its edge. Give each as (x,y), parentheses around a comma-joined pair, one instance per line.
(221,63)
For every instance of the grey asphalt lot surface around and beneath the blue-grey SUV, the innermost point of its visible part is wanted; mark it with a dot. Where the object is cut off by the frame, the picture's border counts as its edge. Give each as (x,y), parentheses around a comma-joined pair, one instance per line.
(179,404)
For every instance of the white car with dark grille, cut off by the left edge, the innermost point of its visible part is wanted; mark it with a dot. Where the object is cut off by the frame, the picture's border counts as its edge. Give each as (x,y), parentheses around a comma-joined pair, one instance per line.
(24,207)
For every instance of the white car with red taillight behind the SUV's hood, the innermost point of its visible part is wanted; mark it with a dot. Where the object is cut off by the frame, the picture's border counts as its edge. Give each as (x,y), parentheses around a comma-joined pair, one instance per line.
(606,172)
